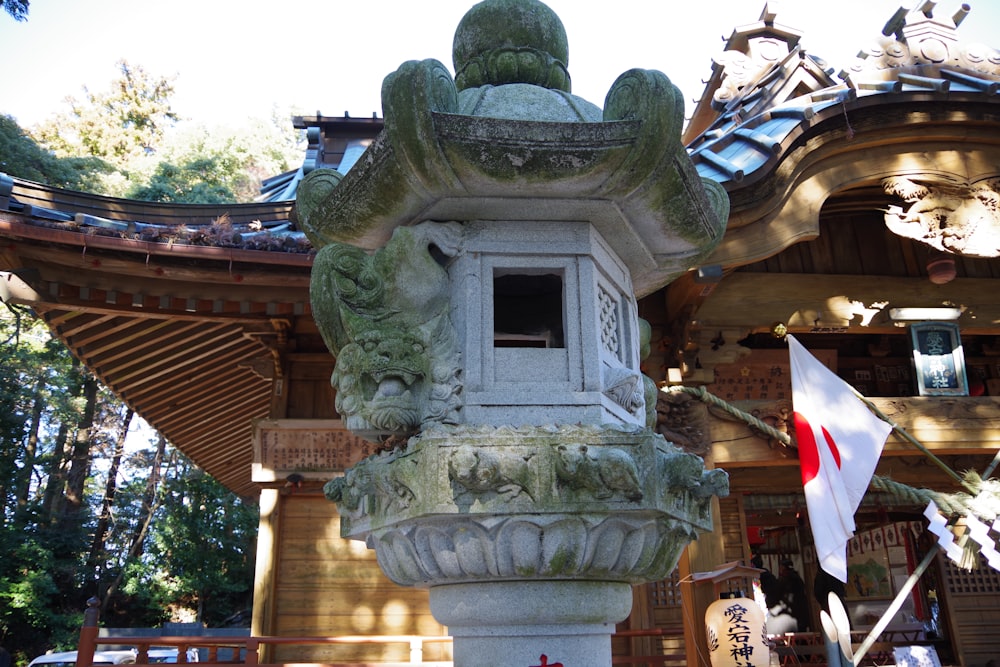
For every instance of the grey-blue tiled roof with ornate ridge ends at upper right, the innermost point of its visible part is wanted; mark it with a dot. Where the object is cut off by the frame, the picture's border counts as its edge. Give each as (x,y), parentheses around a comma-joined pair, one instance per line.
(763,107)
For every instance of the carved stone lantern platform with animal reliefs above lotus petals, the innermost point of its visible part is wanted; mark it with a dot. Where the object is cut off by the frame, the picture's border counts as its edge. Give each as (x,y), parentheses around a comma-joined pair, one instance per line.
(463,504)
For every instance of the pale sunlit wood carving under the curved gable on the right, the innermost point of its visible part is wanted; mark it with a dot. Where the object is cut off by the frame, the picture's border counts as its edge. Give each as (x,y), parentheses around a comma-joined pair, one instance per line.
(950,215)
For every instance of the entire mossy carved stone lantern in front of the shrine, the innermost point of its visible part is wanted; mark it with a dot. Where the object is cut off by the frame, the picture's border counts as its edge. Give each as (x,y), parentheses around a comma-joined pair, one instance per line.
(476,280)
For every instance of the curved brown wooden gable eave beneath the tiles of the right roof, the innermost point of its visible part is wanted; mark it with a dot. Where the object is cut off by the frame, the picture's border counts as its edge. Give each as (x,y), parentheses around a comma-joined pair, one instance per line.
(847,143)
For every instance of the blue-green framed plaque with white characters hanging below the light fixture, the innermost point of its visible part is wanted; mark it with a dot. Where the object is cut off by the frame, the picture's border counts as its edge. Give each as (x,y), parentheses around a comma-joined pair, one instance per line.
(938,359)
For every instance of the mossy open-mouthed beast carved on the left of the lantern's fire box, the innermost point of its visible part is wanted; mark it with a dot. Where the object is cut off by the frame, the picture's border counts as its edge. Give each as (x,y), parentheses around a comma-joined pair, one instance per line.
(385,316)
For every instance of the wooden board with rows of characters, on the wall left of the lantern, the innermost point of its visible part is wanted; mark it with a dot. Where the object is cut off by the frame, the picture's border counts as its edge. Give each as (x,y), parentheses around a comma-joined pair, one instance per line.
(283,446)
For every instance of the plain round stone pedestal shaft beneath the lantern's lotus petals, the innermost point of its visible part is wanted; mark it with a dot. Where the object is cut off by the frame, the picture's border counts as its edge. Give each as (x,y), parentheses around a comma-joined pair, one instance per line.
(516,623)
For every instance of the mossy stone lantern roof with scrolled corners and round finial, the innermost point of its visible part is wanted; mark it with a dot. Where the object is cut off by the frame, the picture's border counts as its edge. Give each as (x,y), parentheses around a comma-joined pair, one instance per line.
(507,140)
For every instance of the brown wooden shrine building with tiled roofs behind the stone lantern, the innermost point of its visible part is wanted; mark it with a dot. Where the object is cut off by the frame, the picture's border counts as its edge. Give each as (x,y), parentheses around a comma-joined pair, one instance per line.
(856,198)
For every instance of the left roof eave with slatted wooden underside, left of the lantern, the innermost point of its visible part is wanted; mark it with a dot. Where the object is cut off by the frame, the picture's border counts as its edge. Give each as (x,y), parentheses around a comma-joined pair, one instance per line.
(180,310)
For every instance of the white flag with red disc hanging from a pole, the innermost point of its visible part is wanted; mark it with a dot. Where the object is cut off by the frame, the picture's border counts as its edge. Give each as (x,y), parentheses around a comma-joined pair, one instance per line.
(840,441)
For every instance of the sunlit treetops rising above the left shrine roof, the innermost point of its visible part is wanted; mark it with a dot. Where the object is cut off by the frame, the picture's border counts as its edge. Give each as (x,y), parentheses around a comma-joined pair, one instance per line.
(125,142)
